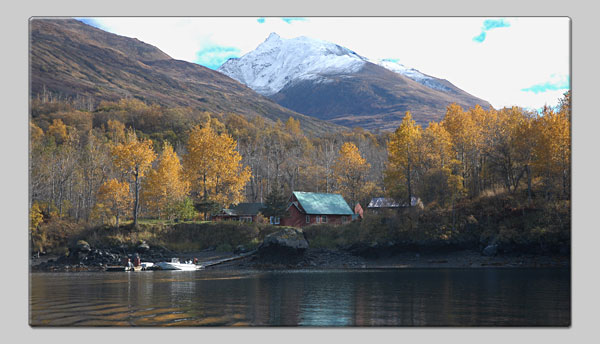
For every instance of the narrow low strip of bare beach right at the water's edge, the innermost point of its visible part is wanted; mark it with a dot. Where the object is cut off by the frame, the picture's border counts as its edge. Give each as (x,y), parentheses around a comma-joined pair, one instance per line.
(322,259)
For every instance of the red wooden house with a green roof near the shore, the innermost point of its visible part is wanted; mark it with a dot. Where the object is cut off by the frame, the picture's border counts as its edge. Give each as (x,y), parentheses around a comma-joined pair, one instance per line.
(306,208)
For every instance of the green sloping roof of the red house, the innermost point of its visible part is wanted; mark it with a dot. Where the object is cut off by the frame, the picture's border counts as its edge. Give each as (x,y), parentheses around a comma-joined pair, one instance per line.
(323,203)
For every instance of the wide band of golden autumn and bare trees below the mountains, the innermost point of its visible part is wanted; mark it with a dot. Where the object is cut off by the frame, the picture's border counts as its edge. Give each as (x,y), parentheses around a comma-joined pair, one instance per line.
(125,159)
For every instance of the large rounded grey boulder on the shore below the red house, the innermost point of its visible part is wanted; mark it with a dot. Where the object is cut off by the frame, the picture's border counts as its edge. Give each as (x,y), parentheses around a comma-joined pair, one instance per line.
(284,245)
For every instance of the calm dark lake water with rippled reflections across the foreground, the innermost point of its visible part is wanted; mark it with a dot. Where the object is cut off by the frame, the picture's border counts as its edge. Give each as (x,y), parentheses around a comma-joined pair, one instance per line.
(406,297)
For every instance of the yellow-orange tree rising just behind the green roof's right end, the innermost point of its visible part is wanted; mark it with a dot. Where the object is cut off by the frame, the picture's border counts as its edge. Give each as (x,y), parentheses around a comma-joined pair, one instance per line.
(350,170)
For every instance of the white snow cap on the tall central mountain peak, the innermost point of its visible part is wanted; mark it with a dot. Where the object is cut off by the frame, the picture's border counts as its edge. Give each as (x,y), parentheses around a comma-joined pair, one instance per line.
(277,62)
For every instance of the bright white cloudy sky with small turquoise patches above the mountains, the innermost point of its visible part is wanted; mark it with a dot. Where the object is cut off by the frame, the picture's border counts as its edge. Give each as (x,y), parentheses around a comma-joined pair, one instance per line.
(506,61)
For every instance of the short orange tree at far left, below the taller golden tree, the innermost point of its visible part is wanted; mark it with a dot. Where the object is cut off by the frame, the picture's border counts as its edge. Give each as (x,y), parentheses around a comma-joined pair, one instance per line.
(113,199)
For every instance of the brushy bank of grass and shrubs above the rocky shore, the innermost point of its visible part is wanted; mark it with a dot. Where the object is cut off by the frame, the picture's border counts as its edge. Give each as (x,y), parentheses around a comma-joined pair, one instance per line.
(507,220)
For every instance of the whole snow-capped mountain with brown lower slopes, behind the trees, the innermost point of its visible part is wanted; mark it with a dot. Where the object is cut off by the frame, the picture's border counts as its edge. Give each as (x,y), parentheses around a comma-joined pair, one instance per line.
(327,81)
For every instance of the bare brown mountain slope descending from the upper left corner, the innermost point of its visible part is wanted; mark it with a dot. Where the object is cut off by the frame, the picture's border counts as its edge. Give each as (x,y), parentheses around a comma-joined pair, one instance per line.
(71,58)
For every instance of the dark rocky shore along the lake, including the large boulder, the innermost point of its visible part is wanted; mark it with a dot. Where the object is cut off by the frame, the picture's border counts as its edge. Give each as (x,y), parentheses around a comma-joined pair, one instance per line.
(288,249)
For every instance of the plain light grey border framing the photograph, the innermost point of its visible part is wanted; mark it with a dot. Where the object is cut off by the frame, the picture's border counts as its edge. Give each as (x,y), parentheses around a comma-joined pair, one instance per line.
(14,143)
